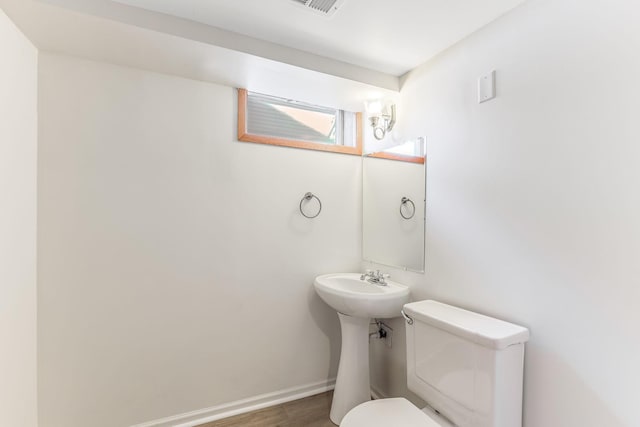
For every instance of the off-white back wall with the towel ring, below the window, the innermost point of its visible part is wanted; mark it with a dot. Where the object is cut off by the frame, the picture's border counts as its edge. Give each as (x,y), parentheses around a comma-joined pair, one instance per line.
(175,271)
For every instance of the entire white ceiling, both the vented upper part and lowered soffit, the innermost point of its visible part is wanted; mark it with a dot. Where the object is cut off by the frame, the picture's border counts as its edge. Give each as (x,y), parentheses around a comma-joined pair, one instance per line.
(268,46)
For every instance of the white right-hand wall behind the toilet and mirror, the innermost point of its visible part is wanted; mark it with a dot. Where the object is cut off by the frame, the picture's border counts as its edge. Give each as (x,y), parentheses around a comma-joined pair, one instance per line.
(533,208)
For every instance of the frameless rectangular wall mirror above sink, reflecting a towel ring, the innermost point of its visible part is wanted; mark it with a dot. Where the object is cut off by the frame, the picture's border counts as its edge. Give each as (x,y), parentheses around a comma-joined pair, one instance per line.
(393,184)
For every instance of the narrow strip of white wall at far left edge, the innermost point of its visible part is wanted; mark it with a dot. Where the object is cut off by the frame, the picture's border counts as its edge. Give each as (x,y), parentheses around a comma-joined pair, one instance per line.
(18,159)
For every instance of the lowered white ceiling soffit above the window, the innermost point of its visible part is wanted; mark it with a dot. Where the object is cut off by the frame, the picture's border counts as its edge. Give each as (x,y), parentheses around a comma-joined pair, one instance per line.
(105,31)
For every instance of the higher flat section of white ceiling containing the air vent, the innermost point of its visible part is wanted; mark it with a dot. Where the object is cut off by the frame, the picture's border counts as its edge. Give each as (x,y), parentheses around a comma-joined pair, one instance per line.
(387,36)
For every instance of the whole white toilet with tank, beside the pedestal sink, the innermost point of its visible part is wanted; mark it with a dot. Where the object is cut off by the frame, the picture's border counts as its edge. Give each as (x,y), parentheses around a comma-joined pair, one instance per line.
(466,366)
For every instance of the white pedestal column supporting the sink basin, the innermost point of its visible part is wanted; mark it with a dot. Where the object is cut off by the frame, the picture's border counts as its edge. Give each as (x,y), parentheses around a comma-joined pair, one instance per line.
(352,384)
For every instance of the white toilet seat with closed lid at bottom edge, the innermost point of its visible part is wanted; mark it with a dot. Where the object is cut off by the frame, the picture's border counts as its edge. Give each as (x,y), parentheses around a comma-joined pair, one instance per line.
(386,413)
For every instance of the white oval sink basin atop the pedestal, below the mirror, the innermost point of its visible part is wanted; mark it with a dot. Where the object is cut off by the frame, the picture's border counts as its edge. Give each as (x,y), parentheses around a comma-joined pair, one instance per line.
(349,295)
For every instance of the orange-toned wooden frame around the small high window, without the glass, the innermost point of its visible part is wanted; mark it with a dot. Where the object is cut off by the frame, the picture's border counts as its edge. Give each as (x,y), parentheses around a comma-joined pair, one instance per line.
(244,136)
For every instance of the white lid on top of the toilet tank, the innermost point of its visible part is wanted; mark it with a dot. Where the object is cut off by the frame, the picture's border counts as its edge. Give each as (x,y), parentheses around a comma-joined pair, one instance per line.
(484,330)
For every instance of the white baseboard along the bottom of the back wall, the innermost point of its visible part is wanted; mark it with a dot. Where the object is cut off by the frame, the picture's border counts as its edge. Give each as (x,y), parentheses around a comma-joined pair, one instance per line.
(201,416)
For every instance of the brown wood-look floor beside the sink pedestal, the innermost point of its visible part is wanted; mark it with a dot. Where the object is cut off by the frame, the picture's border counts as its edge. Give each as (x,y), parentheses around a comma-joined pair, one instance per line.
(311,411)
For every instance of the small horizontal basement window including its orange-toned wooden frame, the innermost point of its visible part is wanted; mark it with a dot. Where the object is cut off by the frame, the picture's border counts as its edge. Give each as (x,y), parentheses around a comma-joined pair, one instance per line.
(271,120)
